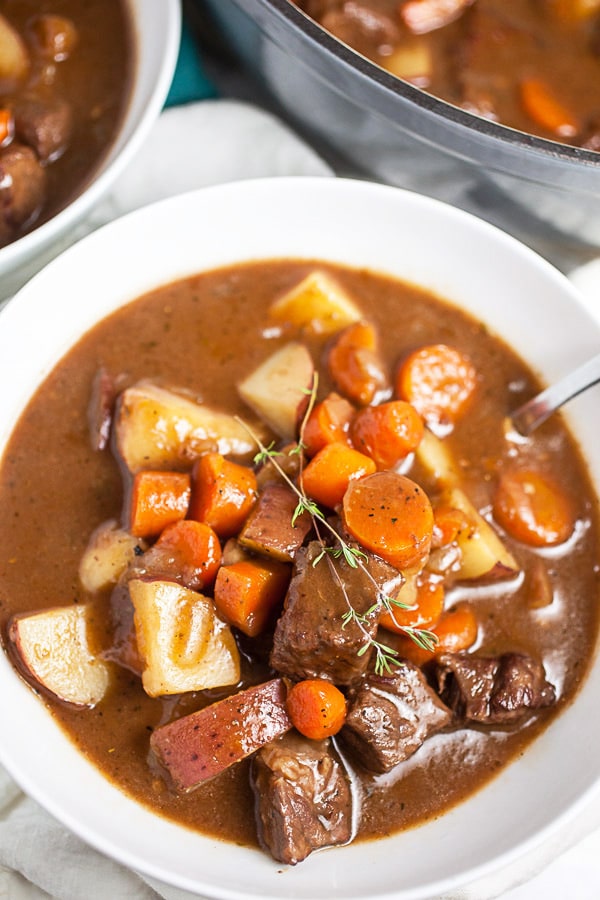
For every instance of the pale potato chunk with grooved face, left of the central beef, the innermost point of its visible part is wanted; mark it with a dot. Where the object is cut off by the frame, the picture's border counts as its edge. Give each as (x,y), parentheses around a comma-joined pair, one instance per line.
(182,642)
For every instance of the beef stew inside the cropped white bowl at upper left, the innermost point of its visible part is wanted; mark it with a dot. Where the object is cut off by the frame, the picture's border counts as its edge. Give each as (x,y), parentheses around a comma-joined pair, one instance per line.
(65,80)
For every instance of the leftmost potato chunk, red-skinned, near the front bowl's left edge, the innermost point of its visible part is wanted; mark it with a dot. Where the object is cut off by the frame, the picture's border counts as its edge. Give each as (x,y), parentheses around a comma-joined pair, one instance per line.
(53,647)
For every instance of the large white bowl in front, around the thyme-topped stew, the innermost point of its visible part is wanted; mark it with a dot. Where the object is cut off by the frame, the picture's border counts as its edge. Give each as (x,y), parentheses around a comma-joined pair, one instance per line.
(521,298)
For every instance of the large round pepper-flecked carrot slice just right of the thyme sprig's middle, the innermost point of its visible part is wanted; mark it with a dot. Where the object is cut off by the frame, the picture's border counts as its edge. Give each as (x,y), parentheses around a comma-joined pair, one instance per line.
(390,515)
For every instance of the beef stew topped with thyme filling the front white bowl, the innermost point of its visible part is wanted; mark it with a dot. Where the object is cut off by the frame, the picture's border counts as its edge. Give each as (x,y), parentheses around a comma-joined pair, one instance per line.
(525,615)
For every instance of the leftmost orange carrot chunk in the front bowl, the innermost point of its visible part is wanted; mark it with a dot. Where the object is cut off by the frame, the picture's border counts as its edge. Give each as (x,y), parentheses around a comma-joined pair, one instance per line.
(156,500)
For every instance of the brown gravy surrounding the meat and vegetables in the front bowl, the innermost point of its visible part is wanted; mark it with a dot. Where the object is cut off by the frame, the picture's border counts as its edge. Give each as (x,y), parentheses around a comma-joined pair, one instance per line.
(204,333)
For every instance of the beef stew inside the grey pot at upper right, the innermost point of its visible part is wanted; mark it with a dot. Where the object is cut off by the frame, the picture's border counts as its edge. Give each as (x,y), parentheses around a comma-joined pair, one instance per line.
(533,65)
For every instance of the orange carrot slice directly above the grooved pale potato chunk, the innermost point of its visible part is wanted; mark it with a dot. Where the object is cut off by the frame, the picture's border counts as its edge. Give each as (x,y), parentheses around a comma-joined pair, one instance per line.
(195,547)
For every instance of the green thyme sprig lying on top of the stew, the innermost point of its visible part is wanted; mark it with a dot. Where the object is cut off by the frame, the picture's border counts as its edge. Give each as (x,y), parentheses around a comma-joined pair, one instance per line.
(385,657)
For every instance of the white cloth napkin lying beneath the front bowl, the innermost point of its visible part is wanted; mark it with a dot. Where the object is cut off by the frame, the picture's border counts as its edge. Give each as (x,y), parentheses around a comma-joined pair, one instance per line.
(192,146)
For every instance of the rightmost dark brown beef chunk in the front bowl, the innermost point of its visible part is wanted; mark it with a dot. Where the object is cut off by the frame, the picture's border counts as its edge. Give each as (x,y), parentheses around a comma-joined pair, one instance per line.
(493,690)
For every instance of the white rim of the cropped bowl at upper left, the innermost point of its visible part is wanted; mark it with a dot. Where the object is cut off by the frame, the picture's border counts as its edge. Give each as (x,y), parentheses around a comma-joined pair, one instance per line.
(123,147)
